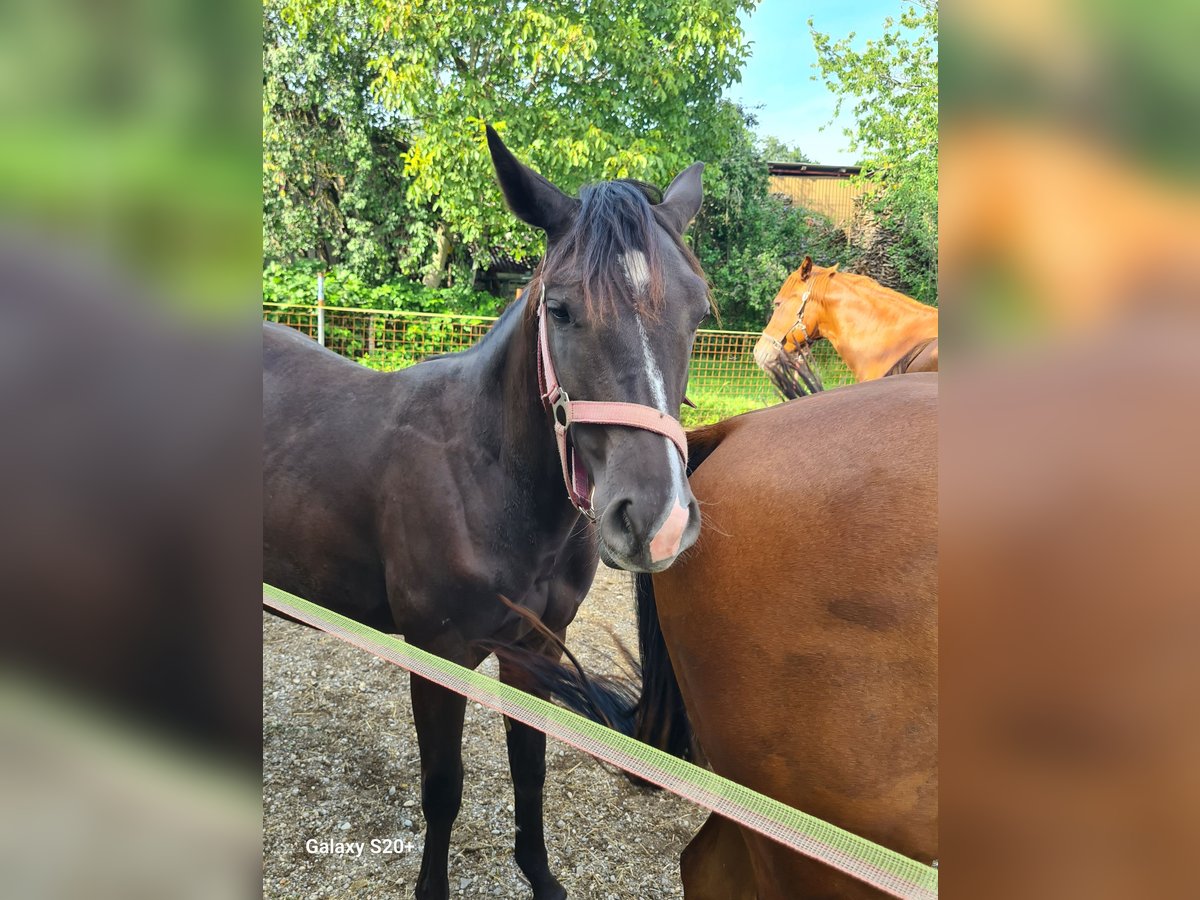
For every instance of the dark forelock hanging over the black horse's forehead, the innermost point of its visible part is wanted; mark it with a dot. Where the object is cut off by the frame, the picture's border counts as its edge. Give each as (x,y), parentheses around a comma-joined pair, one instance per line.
(615,219)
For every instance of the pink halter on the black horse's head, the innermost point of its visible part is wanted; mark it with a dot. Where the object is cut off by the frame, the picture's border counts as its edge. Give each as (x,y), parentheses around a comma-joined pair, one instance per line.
(567,412)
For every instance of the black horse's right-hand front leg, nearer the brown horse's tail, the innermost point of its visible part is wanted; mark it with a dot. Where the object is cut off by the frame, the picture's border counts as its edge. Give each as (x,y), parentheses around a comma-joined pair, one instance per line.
(527,761)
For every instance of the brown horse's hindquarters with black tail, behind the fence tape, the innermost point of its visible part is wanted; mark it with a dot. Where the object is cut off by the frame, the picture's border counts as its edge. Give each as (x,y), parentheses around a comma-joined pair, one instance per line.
(800,635)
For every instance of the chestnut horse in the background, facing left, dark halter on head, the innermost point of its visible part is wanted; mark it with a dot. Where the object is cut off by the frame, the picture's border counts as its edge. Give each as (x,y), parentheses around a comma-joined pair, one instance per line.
(877,331)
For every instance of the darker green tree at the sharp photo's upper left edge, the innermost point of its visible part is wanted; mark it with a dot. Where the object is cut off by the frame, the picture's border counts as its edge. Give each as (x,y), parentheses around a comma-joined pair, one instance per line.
(334,189)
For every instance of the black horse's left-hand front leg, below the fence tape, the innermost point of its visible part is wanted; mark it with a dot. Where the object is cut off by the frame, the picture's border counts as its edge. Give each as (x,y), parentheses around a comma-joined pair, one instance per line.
(439,715)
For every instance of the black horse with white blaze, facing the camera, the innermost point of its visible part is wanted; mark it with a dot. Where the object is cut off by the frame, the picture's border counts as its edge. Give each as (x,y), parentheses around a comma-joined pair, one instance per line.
(416,501)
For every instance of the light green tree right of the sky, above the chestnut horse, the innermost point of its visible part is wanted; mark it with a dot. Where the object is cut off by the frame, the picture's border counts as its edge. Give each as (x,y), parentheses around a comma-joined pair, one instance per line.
(893,86)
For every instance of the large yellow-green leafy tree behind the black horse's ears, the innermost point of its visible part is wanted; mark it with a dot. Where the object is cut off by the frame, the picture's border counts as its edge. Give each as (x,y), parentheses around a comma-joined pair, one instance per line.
(581,89)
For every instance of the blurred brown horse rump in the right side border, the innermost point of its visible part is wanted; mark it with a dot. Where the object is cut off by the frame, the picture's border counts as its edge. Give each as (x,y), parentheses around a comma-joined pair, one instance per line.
(1071,622)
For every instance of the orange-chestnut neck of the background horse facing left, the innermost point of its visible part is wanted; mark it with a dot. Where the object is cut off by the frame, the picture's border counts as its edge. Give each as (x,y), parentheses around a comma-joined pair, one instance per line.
(871,334)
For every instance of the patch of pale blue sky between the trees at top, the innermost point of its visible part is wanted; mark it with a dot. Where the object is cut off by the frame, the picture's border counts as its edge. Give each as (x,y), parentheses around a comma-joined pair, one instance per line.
(778,75)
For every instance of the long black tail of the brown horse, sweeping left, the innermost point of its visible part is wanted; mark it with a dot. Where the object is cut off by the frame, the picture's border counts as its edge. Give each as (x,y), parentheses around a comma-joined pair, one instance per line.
(655,715)
